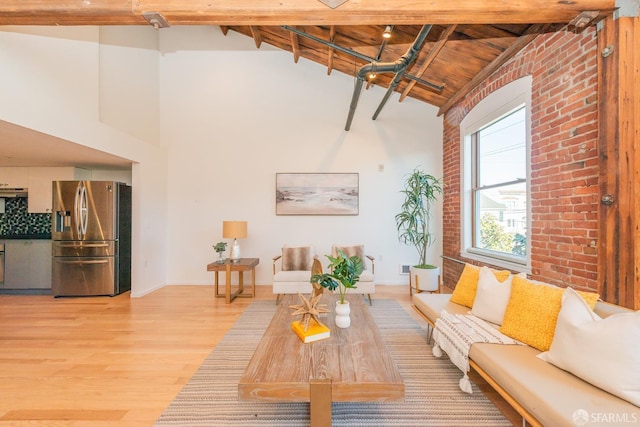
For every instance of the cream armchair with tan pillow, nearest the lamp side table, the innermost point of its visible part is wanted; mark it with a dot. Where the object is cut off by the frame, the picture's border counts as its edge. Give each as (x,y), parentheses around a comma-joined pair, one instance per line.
(292,271)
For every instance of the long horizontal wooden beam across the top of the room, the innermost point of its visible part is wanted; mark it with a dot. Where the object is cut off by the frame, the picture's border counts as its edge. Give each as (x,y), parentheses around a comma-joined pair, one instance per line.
(296,12)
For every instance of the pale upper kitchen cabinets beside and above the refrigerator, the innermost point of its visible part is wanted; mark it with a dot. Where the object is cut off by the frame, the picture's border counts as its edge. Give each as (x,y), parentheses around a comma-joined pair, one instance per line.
(40,185)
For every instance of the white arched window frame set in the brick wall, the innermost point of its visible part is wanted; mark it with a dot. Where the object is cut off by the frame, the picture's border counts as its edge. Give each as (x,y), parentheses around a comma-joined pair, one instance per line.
(492,108)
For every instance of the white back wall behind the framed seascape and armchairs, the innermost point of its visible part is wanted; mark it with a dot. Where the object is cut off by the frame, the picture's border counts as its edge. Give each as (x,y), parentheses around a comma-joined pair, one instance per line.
(232,116)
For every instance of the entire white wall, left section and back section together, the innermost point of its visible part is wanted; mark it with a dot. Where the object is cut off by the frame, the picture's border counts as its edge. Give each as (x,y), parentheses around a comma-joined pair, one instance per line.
(230,117)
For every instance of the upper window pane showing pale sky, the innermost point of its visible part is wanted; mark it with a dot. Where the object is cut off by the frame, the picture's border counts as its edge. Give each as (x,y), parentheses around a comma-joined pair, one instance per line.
(501,150)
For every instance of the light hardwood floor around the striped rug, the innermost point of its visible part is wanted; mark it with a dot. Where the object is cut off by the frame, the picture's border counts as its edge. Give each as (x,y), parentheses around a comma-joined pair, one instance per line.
(106,361)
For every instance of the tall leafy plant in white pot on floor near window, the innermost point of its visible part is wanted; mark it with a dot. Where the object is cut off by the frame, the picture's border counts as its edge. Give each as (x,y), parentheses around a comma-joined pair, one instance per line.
(421,191)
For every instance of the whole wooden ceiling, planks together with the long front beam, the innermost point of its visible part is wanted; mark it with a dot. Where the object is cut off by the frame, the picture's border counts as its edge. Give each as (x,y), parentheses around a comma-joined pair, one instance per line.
(466,42)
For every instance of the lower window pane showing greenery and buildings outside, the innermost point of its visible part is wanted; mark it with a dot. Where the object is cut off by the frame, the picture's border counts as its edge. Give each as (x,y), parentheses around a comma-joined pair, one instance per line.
(501,219)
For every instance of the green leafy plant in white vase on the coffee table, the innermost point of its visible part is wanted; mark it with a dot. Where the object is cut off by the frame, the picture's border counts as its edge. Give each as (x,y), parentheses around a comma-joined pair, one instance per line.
(344,274)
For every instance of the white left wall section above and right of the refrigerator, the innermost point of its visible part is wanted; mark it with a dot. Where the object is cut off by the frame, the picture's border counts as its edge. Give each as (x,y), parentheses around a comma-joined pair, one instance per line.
(50,82)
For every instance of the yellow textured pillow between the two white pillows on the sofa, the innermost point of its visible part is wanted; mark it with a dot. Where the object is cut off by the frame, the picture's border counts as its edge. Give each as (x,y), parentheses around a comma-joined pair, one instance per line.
(532,312)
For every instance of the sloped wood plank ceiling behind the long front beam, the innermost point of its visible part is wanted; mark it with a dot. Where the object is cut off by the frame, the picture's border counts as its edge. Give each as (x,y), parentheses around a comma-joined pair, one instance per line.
(452,59)
